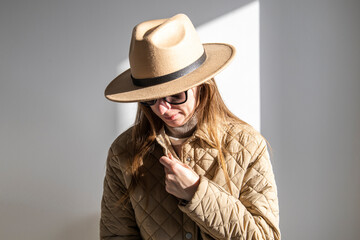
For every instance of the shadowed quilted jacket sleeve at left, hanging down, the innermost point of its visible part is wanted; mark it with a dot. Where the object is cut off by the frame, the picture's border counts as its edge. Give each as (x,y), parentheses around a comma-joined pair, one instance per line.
(117,221)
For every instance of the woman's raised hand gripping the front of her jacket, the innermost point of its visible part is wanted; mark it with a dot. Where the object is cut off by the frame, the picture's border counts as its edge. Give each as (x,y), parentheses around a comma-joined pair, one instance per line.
(180,180)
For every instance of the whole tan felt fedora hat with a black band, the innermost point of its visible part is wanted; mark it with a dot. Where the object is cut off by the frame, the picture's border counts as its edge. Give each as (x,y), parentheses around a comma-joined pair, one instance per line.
(167,57)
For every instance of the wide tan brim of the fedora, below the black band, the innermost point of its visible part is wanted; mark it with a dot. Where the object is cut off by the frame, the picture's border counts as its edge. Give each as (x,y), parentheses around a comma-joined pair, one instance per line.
(218,56)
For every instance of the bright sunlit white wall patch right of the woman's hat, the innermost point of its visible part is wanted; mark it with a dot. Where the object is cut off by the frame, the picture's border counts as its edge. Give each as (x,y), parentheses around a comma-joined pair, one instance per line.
(239,83)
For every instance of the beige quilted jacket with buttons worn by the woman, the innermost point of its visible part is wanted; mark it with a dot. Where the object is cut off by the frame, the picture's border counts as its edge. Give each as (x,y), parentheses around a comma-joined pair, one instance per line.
(251,212)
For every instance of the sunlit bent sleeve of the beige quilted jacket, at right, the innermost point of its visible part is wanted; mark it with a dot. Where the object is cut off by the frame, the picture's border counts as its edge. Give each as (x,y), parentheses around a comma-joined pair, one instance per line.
(253,214)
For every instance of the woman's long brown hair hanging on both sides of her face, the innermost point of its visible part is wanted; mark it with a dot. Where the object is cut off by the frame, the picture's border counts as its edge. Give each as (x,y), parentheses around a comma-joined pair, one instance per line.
(211,112)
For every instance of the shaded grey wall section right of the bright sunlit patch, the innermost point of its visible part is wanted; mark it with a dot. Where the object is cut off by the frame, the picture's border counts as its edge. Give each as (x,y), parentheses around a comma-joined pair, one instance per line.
(310,84)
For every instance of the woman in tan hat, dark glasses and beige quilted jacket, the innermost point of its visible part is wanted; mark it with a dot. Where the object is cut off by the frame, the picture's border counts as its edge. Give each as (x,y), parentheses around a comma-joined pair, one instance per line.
(188,168)
